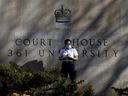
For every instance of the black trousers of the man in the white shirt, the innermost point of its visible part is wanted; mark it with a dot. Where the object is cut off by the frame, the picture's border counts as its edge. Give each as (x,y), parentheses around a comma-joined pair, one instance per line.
(68,68)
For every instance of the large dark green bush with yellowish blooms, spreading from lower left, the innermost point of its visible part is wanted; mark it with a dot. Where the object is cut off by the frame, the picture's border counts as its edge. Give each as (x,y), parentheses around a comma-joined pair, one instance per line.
(14,79)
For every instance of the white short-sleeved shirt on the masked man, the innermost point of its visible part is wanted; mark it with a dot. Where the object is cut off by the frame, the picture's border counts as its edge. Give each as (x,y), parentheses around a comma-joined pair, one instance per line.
(71,52)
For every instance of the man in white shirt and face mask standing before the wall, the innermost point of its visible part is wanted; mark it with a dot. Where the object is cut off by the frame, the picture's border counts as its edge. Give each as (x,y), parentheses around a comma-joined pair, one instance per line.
(68,55)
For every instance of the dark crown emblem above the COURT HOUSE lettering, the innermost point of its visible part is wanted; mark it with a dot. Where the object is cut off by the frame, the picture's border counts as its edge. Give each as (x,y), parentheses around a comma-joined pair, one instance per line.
(62,15)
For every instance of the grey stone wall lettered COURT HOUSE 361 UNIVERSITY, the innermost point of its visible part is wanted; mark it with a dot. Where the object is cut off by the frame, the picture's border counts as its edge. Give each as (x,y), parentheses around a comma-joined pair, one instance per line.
(98,30)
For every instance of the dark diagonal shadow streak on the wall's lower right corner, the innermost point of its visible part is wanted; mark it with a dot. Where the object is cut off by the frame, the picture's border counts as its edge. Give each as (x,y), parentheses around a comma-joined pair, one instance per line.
(120,67)
